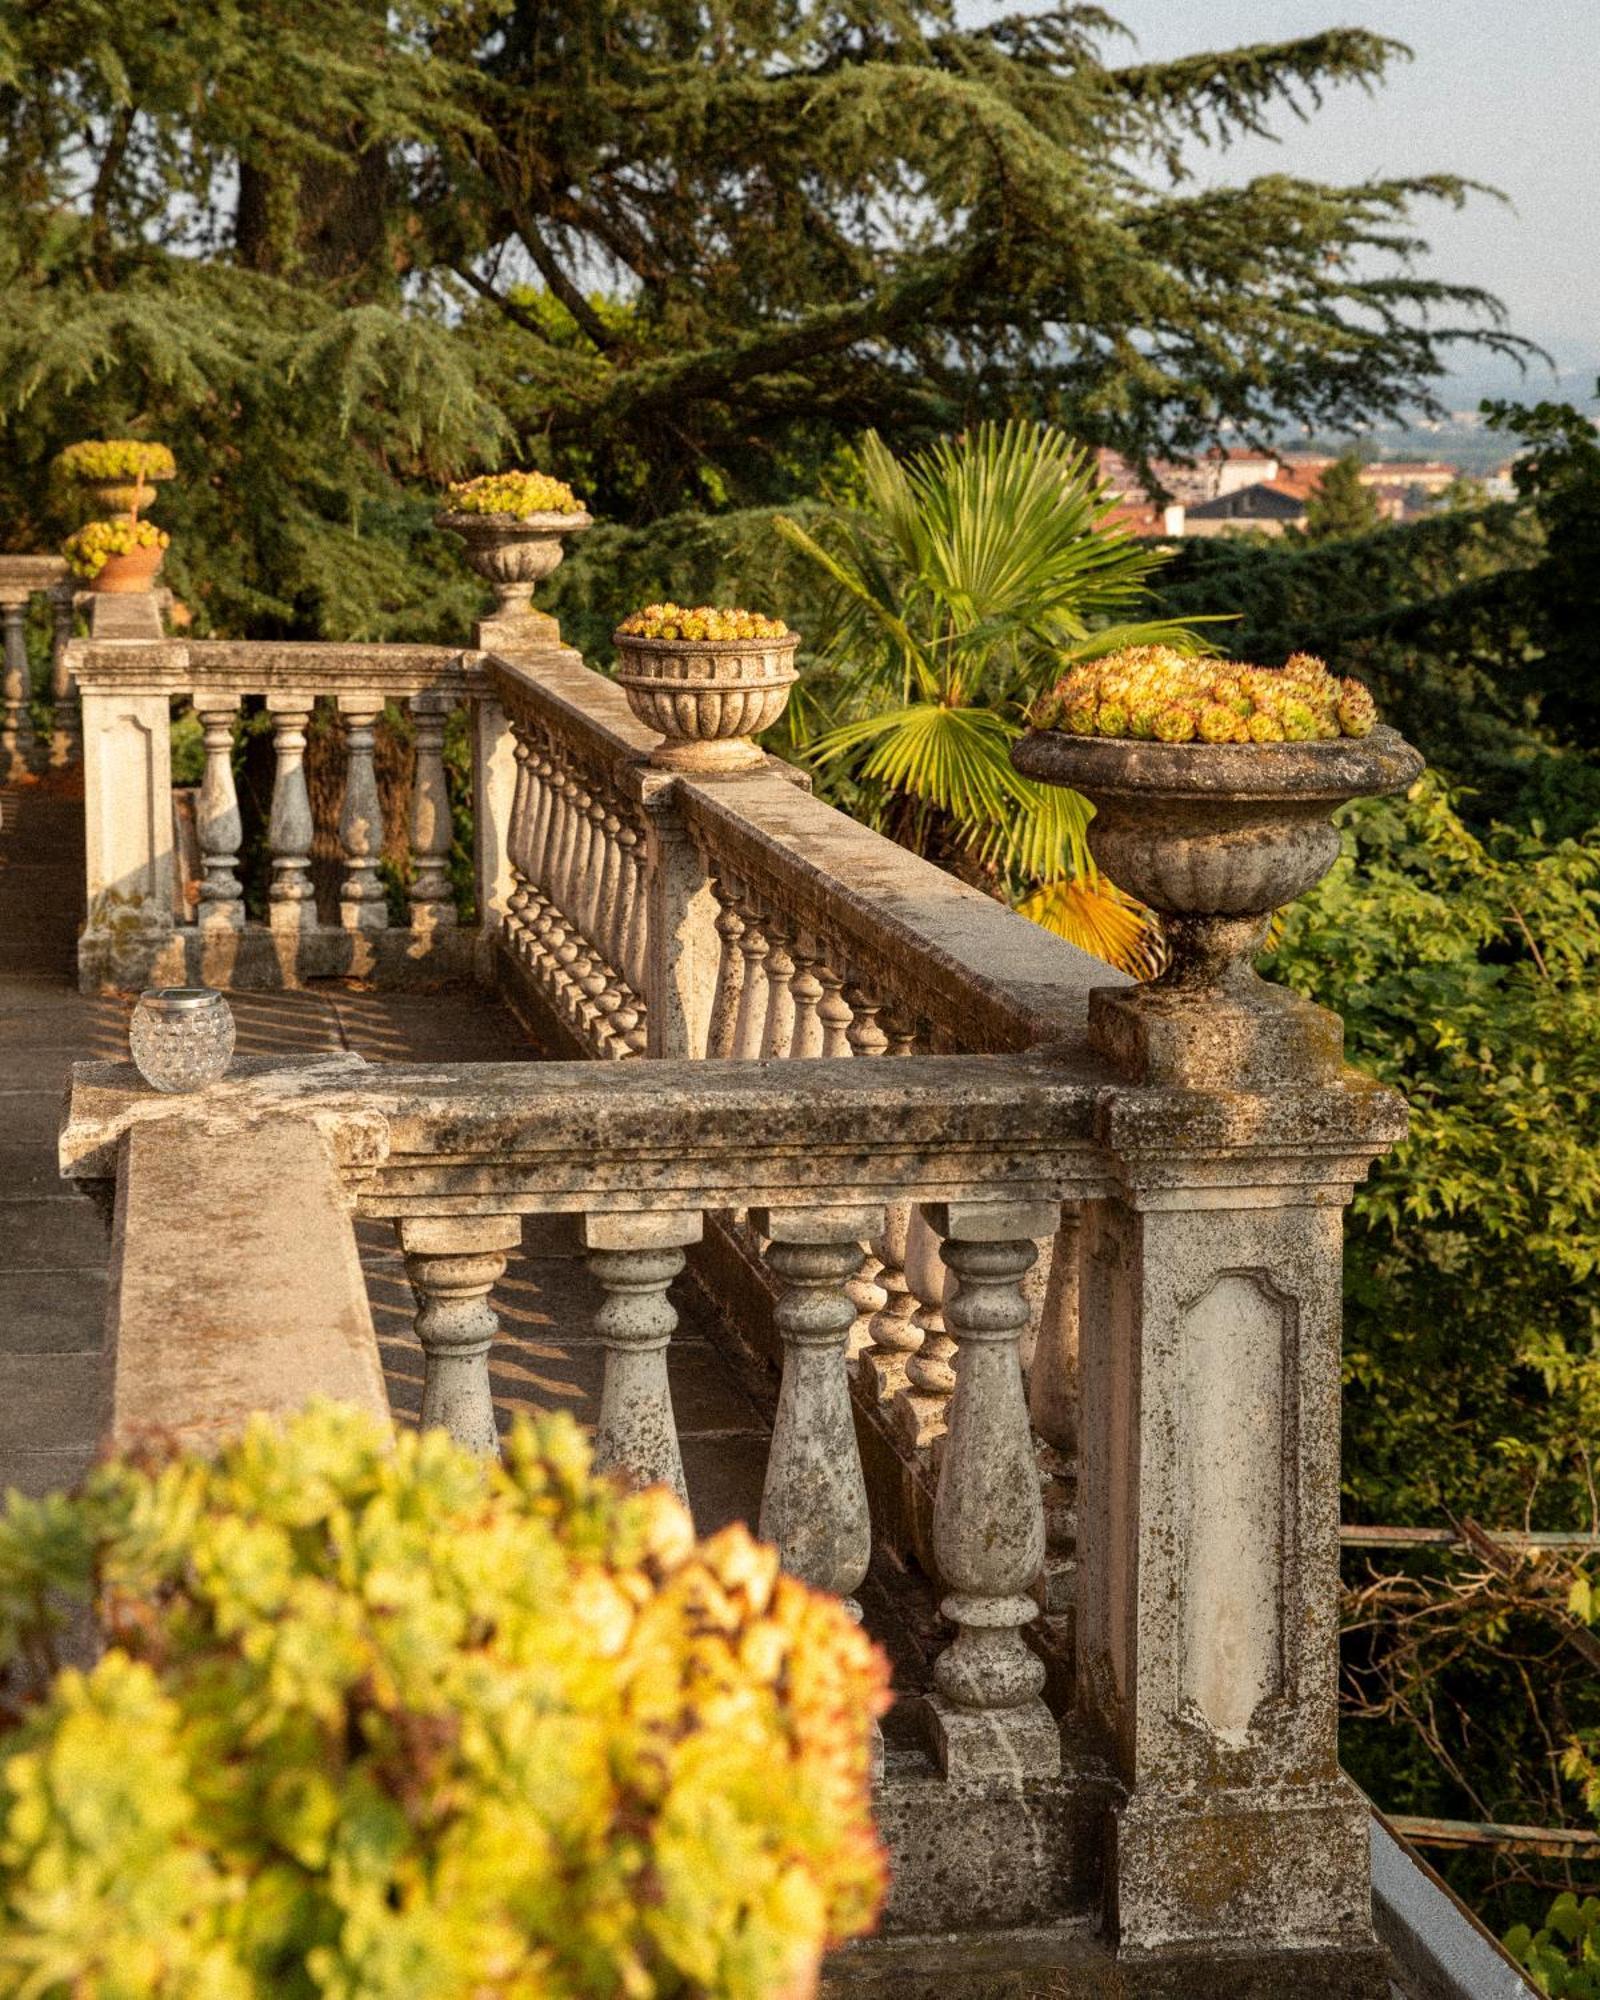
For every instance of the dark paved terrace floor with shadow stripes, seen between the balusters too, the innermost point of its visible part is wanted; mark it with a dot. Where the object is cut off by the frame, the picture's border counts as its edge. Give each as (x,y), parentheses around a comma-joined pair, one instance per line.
(53,1243)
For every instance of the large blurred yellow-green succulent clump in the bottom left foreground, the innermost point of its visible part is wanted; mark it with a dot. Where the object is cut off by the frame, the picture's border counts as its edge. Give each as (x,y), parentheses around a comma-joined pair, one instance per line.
(379,1721)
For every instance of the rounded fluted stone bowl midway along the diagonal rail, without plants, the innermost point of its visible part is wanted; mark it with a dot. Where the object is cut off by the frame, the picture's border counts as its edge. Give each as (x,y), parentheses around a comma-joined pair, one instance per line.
(709,699)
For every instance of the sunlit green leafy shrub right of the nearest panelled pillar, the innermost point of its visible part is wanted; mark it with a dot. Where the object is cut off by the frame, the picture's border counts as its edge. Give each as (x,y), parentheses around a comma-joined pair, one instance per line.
(1467,975)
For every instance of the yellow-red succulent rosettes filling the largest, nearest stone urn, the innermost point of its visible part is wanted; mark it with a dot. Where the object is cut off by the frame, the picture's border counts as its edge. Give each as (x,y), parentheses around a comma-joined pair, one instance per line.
(1161,695)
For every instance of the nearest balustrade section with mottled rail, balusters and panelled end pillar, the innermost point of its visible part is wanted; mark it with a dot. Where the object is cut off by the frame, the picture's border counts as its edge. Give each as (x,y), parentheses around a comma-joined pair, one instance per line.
(1209,1547)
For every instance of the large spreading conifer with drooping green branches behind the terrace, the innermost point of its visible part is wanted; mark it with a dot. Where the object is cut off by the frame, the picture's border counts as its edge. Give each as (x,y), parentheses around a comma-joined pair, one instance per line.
(343,253)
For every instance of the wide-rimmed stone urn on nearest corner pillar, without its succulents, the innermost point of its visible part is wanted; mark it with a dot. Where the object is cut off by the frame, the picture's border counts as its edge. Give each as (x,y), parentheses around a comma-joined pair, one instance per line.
(1215,839)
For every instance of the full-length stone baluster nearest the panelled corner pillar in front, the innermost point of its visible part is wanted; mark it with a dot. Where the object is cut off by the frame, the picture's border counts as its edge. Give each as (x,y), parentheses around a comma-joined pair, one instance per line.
(989,1521)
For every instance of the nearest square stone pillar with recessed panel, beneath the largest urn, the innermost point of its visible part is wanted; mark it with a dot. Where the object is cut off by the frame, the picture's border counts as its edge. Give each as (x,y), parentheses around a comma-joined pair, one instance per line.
(1209,1529)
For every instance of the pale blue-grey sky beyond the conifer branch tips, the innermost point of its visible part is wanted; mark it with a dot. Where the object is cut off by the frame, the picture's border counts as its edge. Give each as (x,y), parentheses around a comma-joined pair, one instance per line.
(1499,91)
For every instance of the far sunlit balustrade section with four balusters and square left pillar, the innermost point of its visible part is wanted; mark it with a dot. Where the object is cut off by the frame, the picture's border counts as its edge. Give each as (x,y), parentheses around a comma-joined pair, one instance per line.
(137,931)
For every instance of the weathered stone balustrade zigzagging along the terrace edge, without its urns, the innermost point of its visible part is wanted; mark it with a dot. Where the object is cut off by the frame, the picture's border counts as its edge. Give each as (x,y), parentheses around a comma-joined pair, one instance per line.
(1065,1337)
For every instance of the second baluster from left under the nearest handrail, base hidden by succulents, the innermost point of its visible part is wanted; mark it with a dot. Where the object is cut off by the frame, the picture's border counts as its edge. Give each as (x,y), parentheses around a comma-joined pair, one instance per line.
(635,1259)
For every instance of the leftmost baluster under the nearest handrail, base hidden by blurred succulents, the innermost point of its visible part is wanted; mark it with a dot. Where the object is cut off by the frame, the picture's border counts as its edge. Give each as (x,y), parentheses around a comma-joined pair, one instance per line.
(453,1265)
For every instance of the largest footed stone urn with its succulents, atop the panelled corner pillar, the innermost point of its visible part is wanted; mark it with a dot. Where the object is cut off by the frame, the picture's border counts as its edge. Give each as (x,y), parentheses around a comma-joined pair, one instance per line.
(1215,789)
